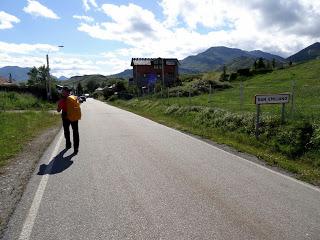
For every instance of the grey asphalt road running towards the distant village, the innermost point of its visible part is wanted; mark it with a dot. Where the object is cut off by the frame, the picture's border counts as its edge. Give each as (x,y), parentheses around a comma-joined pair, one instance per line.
(136,179)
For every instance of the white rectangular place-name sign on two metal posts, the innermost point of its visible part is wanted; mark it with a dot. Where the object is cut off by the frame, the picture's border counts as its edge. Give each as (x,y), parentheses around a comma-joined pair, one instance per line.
(260,99)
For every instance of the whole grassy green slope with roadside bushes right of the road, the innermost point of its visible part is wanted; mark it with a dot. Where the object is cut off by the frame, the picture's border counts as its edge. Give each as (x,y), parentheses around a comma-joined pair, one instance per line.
(227,118)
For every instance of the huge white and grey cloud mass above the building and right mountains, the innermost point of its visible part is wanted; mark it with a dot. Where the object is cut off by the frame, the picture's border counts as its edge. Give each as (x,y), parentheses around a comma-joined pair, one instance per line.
(232,23)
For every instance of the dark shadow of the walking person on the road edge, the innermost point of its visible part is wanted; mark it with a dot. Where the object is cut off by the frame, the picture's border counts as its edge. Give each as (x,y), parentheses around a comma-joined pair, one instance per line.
(57,165)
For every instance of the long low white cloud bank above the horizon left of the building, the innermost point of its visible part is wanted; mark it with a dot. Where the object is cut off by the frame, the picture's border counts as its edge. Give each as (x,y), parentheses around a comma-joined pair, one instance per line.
(61,64)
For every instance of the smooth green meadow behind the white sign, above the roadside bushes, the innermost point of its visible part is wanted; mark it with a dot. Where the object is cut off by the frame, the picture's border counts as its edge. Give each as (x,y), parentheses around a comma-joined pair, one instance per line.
(302,79)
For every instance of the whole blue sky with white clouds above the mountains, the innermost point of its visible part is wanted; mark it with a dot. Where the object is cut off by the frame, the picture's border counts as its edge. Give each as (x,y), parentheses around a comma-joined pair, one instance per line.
(101,36)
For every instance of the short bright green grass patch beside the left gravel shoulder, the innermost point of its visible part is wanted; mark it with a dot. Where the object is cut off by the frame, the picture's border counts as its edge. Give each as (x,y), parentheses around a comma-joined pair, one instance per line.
(17,129)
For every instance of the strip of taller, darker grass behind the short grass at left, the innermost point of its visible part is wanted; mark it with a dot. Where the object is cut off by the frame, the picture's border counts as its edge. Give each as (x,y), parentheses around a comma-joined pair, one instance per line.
(22,101)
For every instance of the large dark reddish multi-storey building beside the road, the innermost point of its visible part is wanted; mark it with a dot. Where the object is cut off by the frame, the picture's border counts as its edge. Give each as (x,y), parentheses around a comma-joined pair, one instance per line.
(147,72)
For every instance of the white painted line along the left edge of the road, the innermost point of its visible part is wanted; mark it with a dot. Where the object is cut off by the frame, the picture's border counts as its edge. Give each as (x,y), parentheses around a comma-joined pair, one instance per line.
(29,222)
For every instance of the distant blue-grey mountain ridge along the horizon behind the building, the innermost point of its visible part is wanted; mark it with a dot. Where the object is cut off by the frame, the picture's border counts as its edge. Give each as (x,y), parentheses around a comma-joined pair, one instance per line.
(210,60)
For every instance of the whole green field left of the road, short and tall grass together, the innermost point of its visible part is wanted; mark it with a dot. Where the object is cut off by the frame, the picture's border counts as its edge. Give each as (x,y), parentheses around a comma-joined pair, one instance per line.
(18,128)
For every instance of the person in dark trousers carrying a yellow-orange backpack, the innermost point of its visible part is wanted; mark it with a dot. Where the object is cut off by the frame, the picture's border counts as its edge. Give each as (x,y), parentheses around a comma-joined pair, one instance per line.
(71,114)
